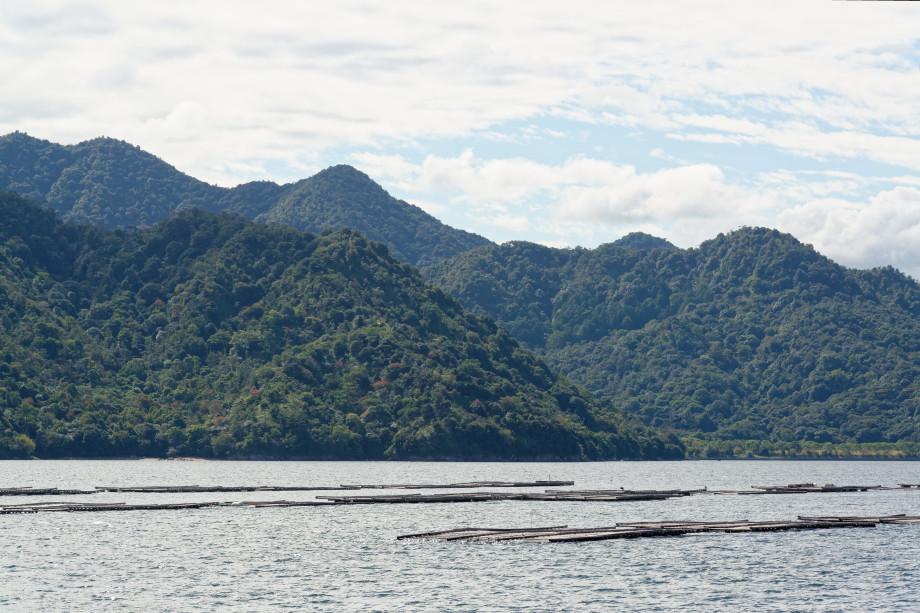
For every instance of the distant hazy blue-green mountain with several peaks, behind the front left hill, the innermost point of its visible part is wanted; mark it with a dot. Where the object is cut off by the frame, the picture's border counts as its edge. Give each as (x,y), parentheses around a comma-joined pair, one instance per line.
(114,184)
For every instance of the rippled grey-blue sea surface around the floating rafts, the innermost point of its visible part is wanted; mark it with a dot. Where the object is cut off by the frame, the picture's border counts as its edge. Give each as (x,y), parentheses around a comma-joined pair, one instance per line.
(348,558)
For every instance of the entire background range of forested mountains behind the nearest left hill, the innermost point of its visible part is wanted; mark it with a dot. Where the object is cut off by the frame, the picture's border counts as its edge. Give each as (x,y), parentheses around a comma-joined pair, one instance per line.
(783,345)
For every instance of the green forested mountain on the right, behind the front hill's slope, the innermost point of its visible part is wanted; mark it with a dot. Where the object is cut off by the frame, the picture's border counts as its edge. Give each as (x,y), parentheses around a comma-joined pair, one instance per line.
(753,336)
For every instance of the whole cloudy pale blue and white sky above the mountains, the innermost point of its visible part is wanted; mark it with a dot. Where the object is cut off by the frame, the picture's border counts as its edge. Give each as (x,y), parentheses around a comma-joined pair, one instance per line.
(564,123)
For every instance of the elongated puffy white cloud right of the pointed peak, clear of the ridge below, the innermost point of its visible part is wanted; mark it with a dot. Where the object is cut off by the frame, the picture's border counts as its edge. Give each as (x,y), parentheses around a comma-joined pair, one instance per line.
(580,189)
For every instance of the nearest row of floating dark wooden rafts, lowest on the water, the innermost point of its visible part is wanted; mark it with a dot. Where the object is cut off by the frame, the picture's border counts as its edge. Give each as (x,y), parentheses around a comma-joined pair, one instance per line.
(630,530)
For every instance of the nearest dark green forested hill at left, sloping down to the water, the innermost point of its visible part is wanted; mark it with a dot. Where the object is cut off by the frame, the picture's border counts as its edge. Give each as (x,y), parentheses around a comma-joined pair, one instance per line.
(214,336)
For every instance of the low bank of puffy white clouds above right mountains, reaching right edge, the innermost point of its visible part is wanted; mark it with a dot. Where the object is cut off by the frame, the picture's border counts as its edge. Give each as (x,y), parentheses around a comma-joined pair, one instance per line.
(587,201)
